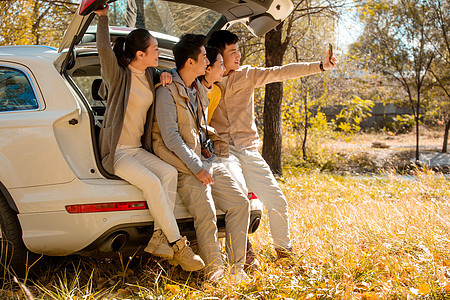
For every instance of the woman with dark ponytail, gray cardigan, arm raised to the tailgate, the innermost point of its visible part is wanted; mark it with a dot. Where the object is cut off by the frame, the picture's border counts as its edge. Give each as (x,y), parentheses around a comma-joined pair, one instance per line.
(128,72)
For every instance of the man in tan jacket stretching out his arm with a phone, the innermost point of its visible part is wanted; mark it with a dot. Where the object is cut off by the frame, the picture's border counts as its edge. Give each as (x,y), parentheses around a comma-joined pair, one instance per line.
(234,120)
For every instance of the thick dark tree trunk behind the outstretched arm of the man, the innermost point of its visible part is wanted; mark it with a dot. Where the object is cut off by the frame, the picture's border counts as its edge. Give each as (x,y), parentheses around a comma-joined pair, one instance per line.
(272,103)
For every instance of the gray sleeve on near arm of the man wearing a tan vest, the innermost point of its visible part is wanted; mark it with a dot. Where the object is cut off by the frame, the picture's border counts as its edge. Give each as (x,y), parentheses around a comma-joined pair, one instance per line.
(166,114)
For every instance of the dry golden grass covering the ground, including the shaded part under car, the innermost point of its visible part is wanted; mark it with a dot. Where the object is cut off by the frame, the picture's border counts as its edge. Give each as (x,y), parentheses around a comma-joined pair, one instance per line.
(356,237)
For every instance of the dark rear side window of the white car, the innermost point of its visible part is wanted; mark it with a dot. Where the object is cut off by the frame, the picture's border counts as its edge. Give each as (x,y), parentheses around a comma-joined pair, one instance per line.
(16,92)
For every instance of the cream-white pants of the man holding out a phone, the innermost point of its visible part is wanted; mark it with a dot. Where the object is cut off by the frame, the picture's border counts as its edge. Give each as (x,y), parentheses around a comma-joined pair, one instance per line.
(249,169)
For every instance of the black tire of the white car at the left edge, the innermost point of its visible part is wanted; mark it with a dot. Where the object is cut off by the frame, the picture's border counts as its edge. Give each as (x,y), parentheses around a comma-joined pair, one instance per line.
(13,253)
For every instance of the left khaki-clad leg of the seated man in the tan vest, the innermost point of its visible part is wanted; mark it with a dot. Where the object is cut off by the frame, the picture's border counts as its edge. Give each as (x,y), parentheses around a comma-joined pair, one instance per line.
(198,200)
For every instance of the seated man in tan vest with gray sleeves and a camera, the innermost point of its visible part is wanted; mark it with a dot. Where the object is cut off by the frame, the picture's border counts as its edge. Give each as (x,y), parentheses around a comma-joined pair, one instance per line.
(181,138)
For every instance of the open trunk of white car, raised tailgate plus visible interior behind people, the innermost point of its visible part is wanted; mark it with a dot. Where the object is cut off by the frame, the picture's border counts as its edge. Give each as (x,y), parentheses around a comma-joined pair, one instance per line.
(166,20)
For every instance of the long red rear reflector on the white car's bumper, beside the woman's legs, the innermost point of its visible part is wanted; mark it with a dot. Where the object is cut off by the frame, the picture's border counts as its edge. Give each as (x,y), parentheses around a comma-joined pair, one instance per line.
(105,207)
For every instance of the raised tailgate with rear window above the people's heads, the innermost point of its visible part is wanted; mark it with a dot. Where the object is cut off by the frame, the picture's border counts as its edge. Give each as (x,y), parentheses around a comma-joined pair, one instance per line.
(174,18)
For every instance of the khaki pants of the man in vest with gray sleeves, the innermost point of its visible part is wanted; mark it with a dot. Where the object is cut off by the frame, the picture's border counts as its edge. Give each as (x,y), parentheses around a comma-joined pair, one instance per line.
(227,197)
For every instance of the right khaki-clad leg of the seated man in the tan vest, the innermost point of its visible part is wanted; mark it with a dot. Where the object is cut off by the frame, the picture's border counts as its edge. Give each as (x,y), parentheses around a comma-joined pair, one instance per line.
(229,198)
